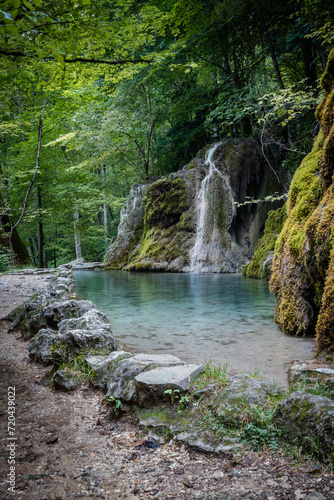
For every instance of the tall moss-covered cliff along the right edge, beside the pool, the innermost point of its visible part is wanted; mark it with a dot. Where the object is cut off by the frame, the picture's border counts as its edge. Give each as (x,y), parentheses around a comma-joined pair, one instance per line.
(303,268)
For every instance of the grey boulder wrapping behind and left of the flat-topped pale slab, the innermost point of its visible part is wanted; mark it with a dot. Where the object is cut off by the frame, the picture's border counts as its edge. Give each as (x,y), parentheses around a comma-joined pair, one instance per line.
(122,383)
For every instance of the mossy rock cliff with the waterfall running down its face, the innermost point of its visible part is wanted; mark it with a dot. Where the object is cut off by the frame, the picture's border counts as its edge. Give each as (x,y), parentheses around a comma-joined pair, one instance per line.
(164,236)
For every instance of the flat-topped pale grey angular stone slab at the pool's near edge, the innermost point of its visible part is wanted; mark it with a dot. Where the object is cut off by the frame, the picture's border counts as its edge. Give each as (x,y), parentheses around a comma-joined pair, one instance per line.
(153,383)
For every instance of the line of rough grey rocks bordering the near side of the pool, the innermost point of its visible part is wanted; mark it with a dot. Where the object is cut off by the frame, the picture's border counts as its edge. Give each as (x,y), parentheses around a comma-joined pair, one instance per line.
(64,331)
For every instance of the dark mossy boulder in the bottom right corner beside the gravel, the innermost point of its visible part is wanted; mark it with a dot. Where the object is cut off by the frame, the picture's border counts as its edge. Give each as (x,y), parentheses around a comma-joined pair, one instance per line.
(310,417)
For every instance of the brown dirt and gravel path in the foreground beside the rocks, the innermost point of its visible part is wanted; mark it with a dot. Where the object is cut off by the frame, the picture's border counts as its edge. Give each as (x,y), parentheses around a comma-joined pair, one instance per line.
(68,447)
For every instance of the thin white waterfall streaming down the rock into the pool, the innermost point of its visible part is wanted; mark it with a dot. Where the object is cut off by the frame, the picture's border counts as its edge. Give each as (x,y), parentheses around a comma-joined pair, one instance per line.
(215,213)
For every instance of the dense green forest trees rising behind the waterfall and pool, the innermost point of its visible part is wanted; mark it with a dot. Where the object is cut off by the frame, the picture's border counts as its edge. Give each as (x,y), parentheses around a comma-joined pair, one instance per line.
(98,95)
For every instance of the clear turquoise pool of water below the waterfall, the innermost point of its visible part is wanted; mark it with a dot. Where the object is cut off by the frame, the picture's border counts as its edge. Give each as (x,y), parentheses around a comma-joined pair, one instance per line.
(227,318)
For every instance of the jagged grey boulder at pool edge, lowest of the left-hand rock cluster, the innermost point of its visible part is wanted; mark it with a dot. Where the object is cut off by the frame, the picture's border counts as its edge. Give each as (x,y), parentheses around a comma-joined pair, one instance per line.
(48,346)
